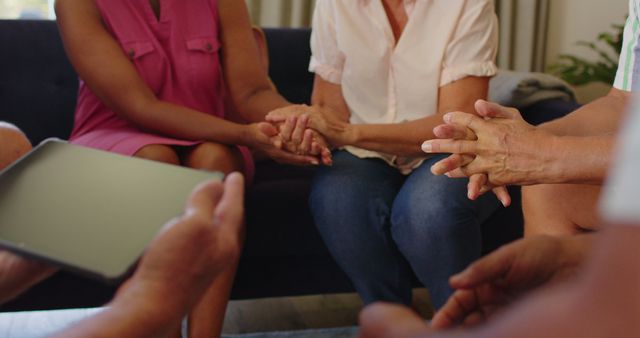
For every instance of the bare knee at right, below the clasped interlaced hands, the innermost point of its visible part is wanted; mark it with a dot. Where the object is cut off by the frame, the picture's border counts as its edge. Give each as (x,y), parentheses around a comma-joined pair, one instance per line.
(560,209)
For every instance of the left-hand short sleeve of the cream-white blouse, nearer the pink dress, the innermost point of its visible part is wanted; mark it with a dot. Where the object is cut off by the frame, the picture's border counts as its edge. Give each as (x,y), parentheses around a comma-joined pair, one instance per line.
(327,60)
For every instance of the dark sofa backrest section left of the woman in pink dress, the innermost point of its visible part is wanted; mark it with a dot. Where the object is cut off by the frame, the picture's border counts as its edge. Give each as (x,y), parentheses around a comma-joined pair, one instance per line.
(38,86)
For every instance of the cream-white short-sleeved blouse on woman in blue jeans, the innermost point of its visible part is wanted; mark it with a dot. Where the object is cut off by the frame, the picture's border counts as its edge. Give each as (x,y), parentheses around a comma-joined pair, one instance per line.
(353,45)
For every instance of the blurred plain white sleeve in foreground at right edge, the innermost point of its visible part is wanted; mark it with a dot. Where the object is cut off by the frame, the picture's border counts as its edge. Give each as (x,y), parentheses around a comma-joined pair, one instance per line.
(621,198)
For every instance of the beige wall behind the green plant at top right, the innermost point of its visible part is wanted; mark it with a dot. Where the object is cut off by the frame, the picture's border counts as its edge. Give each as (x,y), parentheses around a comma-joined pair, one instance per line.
(574,20)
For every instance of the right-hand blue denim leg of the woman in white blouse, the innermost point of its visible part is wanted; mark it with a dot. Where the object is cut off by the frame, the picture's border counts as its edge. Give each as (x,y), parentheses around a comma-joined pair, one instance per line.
(437,228)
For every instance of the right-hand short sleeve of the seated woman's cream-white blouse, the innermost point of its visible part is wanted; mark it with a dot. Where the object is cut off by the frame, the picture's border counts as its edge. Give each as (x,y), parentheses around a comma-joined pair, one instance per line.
(473,47)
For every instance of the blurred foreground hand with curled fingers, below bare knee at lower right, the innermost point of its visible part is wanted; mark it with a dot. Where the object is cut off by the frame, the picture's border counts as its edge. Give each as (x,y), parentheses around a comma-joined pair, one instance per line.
(494,281)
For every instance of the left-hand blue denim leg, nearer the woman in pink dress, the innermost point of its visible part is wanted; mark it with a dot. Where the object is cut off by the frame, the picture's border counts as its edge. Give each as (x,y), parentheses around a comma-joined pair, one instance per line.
(351,206)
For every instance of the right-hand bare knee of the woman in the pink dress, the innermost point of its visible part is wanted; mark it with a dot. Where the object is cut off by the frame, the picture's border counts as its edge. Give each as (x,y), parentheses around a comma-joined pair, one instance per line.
(215,157)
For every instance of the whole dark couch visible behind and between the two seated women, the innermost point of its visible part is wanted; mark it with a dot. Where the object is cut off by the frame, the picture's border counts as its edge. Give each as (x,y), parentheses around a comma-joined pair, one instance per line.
(284,254)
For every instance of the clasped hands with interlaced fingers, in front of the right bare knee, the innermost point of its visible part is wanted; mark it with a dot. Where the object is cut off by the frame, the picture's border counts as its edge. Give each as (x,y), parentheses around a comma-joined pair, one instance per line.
(507,149)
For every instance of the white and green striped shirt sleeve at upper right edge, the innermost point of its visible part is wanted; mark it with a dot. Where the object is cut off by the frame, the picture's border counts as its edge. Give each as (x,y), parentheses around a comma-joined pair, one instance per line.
(628,75)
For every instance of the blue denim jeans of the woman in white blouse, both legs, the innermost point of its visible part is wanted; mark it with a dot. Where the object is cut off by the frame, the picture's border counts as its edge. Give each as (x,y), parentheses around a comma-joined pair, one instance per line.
(380,225)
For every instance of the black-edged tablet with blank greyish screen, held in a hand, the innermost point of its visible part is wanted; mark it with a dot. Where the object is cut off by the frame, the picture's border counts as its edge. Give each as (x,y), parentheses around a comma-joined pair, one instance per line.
(88,210)
